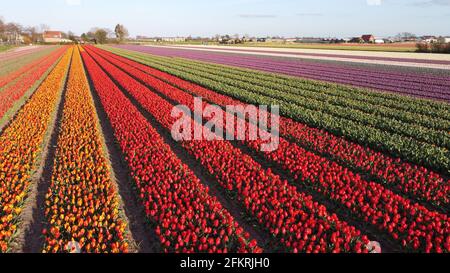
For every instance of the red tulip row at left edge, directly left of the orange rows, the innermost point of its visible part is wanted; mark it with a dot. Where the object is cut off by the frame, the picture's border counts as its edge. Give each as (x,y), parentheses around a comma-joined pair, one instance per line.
(14,92)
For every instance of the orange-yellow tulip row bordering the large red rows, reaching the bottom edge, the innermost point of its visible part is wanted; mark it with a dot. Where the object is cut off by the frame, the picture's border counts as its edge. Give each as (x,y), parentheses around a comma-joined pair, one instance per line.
(81,207)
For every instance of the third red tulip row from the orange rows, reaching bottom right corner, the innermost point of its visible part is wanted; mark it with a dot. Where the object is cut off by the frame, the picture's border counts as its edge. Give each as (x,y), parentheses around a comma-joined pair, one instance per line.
(370,201)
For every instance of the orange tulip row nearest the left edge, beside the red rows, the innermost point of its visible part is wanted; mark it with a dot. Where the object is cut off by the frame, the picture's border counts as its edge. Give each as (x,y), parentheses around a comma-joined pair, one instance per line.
(20,148)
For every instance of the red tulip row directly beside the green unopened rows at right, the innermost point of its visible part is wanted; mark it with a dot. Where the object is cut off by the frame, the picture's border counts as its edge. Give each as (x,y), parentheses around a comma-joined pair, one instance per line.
(415,181)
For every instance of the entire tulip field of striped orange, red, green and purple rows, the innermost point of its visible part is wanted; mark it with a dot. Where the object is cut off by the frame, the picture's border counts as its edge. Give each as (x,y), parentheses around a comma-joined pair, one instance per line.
(88,163)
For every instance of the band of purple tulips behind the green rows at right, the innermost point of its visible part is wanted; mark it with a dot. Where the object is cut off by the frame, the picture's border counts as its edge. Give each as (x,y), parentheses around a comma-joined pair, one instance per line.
(425,86)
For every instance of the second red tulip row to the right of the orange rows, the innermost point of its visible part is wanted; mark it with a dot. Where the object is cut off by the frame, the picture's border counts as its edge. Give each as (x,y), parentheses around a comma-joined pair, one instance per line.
(299,223)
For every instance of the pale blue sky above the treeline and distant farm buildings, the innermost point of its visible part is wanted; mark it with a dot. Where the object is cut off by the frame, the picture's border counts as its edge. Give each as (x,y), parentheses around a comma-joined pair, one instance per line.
(331,18)
